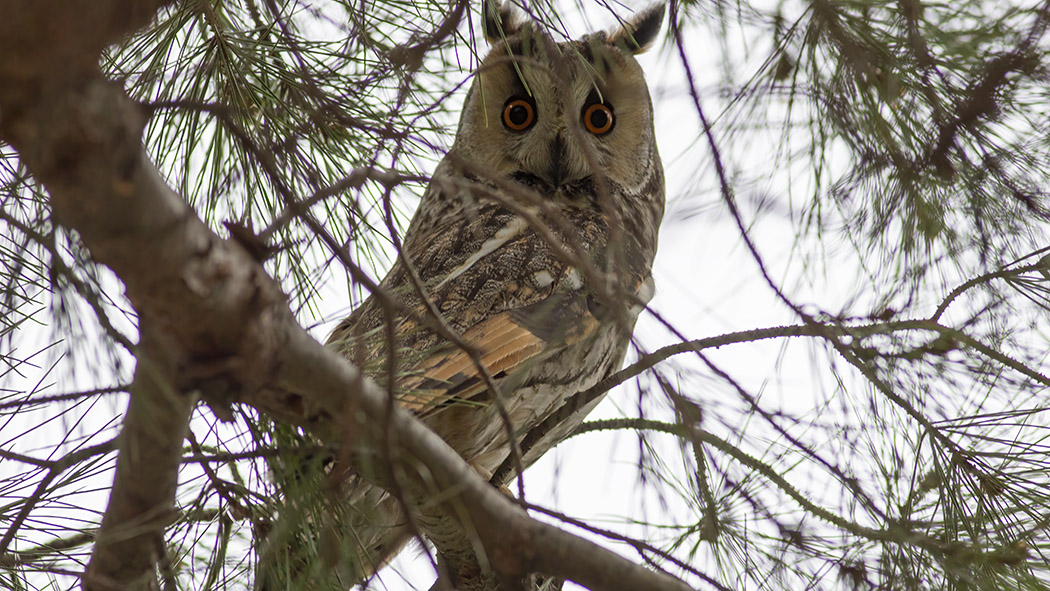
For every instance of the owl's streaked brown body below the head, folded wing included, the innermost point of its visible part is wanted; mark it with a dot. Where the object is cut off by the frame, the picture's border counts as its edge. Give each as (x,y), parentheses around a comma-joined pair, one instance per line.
(531,299)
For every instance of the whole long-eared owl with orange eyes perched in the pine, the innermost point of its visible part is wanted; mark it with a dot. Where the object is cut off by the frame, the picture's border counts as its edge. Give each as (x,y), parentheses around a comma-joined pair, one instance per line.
(532,247)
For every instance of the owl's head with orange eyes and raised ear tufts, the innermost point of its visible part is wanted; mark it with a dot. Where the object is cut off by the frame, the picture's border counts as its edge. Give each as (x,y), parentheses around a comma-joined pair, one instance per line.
(557,115)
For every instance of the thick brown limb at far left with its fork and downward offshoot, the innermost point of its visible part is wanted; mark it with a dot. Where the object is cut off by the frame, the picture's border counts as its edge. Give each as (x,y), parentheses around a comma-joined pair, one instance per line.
(196,297)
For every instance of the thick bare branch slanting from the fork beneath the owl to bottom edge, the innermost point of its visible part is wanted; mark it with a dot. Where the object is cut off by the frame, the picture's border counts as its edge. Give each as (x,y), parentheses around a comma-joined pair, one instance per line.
(515,544)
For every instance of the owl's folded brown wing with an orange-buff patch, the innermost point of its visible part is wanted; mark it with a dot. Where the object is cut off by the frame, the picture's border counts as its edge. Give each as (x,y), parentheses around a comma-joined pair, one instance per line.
(500,287)
